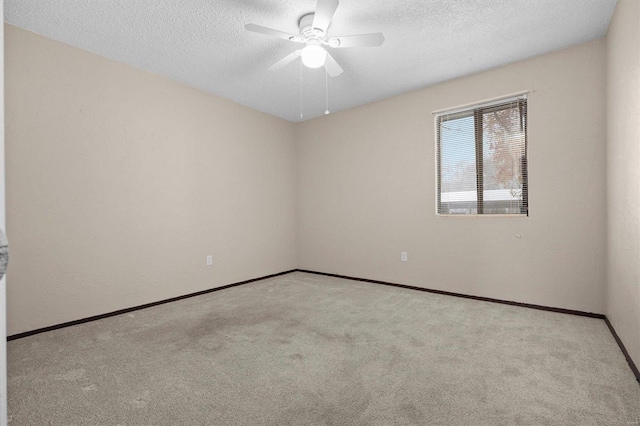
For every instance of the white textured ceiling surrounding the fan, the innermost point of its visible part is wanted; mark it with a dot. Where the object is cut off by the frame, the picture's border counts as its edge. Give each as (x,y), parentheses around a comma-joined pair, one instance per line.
(202,43)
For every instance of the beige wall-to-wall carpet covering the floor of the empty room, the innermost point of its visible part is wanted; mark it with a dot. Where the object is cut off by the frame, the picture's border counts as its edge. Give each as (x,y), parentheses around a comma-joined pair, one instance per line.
(302,349)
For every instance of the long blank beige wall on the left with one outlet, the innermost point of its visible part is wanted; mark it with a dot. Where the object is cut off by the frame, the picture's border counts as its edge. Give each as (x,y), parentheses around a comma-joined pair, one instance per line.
(119,183)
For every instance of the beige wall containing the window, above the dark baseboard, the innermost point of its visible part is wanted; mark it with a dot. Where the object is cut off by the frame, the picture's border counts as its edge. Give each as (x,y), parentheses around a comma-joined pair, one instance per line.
(366,190)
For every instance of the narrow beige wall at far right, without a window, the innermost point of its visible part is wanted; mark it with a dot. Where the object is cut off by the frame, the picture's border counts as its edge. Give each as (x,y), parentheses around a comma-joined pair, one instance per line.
(623,174)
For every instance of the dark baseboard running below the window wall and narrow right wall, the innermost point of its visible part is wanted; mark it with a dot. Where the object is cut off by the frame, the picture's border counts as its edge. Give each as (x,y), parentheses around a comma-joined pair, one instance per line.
(634,368)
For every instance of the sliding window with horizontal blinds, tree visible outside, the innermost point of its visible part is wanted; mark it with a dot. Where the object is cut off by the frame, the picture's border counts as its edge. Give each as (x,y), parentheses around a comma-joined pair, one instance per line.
(482,159)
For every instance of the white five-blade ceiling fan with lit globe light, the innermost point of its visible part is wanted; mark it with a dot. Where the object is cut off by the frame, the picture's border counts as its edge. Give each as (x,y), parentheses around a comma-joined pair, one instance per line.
(314,33)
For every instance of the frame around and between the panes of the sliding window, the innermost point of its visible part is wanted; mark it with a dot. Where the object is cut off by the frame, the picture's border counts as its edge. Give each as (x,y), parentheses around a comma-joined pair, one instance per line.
(478,110)
